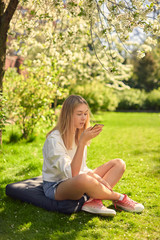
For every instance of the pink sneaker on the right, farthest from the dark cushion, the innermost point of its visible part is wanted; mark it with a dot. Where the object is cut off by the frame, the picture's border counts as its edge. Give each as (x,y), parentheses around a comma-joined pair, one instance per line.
(129,205)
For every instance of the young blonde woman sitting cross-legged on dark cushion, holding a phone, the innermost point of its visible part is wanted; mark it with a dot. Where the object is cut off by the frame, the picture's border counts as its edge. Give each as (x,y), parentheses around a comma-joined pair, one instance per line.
(65,173)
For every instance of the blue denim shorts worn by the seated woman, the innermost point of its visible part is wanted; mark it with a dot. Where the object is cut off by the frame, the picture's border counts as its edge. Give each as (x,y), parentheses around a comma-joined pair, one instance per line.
(49,188)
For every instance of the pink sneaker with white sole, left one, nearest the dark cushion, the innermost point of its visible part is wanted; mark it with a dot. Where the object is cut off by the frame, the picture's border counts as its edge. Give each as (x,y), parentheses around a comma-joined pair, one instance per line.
(96,206)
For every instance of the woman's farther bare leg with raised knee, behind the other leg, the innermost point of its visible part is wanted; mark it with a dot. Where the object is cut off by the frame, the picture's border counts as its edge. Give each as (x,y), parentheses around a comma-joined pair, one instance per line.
(111,171)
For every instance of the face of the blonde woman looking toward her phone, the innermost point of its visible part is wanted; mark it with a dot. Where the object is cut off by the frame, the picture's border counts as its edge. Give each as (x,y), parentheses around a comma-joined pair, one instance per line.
(80,116)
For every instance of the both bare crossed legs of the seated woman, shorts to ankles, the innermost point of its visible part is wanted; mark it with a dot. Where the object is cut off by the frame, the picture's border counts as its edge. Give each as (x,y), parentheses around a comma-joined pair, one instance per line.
(75,187)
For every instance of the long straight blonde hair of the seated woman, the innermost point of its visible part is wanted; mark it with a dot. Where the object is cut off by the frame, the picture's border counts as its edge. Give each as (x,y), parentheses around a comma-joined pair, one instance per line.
(65,121)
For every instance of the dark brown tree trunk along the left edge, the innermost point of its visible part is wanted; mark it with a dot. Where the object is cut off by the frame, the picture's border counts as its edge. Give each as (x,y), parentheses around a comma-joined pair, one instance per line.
(5,18)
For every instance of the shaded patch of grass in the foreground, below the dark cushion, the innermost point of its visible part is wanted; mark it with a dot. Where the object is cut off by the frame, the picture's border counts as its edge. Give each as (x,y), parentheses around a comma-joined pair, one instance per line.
(20,220)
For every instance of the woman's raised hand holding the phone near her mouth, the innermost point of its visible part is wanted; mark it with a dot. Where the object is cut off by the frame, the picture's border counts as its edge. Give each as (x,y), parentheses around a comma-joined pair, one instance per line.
(90,133)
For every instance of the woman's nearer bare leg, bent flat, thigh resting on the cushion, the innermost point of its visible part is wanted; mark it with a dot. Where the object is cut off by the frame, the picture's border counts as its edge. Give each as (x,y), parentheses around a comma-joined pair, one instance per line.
(75,187)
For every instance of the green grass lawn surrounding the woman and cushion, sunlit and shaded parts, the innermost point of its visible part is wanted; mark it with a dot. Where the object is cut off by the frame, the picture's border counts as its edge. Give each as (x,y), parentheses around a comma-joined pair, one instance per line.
(134,137)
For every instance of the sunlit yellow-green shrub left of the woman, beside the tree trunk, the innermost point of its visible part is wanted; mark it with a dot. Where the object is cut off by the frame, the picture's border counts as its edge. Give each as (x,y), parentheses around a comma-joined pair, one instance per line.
(29,99)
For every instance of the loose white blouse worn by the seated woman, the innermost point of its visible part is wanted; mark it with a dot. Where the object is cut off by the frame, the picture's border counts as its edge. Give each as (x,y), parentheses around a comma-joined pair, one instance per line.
(57,159)
